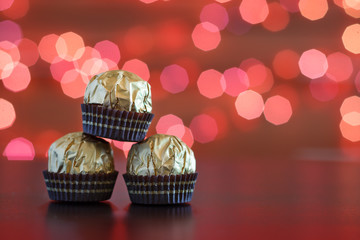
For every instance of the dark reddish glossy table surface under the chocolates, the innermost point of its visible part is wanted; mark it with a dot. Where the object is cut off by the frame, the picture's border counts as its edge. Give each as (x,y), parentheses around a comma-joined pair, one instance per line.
(233,199)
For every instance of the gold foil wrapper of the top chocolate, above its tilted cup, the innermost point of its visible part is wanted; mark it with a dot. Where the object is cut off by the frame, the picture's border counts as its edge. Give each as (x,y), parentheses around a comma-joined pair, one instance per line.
(120,90)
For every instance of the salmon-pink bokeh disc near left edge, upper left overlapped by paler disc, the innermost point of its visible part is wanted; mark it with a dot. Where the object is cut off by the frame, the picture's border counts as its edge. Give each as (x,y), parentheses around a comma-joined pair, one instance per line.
(19,78)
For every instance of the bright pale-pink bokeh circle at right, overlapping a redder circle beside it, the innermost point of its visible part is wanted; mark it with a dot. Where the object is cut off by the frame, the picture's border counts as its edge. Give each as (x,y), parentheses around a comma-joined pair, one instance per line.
(313,64)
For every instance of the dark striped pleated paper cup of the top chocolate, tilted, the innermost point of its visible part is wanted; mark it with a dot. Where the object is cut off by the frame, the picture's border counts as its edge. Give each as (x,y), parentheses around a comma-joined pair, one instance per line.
(115,124)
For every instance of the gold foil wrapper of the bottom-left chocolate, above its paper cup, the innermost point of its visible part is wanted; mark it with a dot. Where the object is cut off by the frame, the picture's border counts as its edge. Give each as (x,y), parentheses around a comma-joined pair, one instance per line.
(79,153)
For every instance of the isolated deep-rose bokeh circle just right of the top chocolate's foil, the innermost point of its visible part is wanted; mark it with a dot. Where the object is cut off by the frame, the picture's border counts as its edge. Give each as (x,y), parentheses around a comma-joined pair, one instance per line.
(174,78)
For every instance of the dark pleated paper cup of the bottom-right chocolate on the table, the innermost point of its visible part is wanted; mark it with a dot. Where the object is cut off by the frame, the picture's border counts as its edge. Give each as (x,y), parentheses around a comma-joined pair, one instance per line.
(173,189)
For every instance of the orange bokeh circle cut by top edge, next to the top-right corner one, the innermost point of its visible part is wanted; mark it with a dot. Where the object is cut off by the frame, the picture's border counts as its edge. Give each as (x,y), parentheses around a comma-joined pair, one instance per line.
(313,9)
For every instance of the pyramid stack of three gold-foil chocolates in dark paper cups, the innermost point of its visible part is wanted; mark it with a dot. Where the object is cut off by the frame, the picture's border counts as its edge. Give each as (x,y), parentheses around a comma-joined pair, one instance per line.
(117,105)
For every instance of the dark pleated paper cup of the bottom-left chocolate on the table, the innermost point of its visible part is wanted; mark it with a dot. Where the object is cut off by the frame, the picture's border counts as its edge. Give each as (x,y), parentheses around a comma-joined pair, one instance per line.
(80,187)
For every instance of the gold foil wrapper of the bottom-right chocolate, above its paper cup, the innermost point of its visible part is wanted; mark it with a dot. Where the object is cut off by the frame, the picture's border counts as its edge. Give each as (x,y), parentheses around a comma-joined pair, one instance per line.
(160,155)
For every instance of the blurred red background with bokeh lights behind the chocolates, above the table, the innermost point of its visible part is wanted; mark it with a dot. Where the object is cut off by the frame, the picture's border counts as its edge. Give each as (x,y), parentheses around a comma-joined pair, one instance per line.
(234,79)
